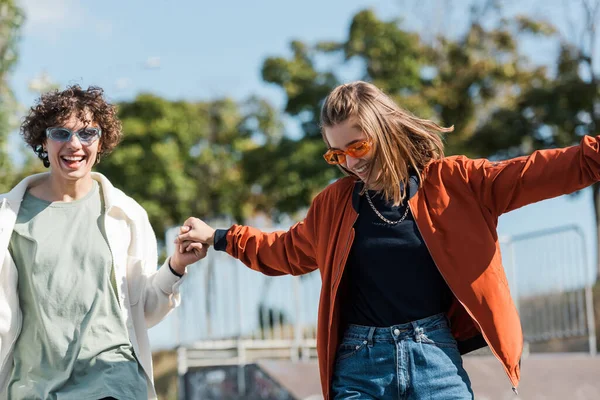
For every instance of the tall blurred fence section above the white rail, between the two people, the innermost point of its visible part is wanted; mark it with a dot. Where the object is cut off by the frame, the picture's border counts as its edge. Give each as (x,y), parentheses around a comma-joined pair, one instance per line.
(225,300)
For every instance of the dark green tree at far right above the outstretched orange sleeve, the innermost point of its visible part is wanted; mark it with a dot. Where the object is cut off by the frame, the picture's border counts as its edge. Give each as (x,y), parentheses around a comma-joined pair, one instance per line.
(553,110)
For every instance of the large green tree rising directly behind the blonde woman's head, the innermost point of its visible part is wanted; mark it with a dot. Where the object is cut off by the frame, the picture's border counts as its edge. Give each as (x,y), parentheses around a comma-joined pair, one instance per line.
(454,80)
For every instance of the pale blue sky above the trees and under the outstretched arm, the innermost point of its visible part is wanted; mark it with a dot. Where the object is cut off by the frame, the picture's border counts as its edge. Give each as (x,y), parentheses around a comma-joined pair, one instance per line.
(201,50)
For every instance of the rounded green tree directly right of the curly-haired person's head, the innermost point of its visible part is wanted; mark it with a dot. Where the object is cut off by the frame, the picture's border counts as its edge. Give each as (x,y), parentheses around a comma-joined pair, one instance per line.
(179,158)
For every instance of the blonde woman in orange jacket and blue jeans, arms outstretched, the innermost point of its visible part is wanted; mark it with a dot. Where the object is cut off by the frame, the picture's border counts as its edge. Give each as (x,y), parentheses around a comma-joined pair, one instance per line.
(407,249)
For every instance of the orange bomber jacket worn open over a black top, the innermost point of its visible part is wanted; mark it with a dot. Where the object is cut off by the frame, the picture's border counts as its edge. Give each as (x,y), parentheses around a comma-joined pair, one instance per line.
(456,209)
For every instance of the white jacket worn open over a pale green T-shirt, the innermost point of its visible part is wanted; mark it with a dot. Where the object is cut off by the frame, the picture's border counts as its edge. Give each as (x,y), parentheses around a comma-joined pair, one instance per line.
(146,294)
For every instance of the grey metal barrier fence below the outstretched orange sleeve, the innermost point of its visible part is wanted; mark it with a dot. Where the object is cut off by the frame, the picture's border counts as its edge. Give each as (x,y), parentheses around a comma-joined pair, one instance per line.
(551,282)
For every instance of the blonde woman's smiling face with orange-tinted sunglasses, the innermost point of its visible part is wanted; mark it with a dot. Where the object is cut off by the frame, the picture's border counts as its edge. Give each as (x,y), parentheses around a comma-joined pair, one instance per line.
(346,134)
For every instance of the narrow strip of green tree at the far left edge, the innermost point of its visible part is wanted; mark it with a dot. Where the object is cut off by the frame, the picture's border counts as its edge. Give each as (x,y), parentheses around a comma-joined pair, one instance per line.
(11,19)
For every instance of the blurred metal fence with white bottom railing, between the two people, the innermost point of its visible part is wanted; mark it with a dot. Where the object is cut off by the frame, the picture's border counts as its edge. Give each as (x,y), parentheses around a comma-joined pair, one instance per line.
(231,314)
